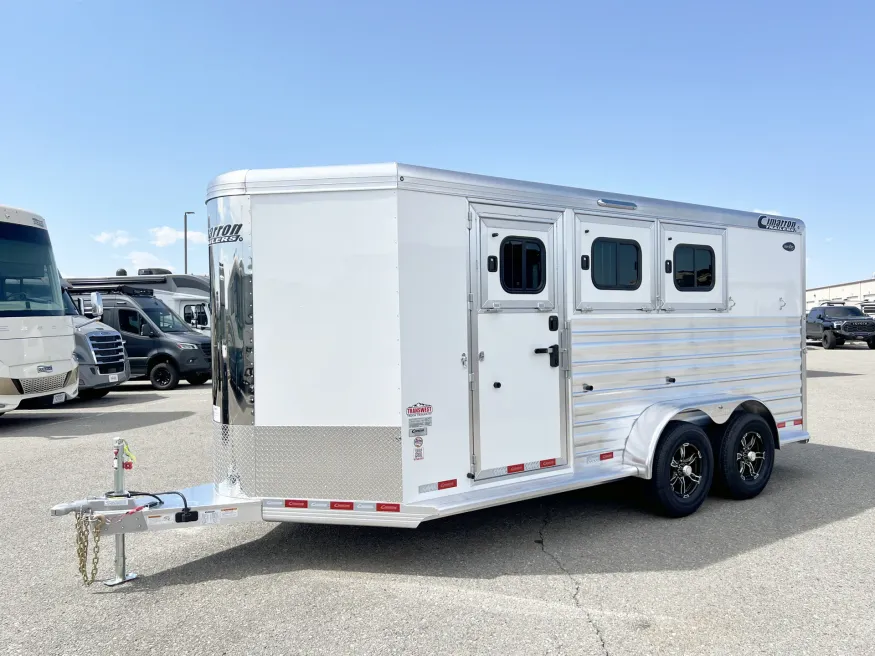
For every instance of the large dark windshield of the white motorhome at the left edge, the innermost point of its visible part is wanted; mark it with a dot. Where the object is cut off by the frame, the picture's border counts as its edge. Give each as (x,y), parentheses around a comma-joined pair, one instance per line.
(29,282)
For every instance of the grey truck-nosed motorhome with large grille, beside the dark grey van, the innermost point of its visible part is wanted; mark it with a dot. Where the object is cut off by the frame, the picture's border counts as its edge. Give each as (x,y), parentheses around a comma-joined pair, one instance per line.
(99,351)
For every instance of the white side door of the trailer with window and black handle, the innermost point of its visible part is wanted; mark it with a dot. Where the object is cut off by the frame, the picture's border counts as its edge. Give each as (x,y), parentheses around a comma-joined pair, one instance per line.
(517,317)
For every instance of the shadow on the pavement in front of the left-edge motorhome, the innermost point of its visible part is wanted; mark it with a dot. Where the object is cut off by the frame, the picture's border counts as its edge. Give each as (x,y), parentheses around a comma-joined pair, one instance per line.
(71,425)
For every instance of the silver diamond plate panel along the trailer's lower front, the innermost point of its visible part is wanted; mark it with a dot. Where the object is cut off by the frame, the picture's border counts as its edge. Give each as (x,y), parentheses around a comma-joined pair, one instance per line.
(311,462)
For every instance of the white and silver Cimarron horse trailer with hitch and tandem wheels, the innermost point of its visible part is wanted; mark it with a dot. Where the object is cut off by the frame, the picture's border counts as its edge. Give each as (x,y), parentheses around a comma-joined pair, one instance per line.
(428,343)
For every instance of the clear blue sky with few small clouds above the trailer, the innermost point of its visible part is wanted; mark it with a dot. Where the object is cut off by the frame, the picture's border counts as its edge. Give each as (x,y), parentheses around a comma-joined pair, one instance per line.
(115,115)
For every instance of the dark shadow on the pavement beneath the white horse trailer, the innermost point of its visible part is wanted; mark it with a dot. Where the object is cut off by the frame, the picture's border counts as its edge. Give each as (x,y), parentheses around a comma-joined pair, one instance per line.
(599,530)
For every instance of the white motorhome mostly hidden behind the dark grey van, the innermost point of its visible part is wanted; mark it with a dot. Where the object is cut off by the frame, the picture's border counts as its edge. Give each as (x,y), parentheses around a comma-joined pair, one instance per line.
(187,295)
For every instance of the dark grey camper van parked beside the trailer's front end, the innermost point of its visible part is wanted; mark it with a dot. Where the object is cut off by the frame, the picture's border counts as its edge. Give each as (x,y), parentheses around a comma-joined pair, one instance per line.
(160,346)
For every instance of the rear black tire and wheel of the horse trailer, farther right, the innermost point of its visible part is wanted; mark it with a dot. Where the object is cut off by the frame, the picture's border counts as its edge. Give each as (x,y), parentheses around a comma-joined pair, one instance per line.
(738,475)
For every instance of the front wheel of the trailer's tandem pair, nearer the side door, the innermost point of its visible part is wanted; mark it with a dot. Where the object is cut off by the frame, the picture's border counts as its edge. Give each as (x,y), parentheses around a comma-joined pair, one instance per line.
(683,458)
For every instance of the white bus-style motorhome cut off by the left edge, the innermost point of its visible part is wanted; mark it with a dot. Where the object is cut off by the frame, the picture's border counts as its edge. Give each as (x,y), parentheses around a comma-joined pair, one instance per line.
(37,366)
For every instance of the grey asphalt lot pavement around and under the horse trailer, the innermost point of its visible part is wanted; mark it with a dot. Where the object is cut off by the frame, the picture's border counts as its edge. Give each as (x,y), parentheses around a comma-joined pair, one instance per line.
(587,572)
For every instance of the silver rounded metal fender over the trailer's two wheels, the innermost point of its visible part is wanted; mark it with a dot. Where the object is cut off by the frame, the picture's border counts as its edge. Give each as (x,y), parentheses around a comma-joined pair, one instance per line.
(647,429)
